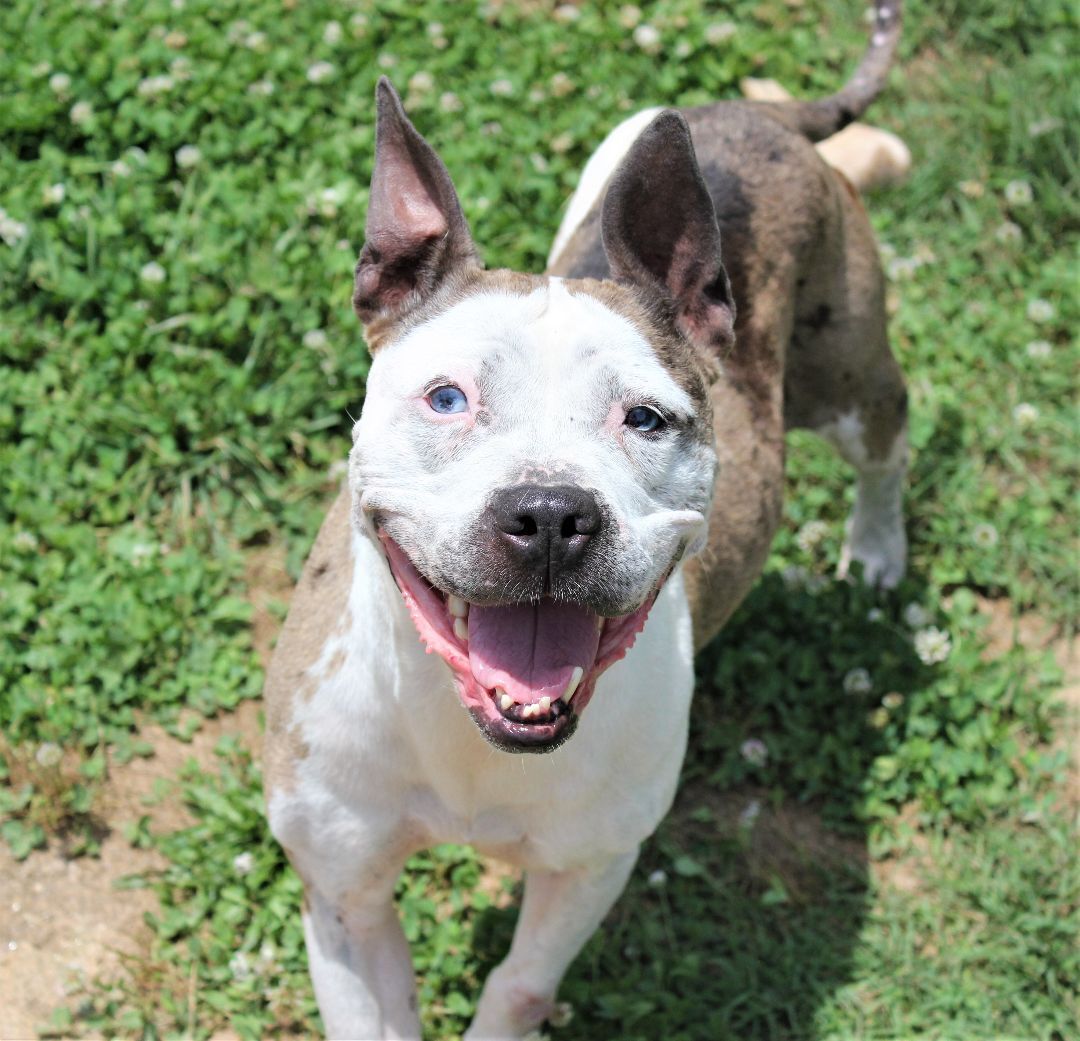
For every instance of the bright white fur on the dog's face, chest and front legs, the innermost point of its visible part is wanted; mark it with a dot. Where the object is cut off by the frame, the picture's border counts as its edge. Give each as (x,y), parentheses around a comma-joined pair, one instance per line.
(394,763)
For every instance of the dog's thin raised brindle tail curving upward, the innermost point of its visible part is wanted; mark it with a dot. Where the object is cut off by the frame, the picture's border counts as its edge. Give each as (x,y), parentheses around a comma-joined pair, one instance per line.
(821,119)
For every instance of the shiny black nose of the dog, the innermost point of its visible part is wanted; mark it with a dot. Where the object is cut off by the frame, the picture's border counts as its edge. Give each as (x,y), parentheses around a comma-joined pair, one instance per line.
(546,528)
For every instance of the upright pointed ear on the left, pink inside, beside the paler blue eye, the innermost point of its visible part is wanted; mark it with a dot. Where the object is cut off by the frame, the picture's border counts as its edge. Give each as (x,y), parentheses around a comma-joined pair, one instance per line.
(416,233)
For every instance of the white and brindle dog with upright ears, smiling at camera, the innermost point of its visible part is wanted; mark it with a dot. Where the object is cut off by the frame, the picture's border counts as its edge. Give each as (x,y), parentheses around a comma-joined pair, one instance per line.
(560,488)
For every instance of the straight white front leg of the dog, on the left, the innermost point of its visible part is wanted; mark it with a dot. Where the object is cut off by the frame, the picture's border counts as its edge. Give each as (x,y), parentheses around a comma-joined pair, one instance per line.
(361,967)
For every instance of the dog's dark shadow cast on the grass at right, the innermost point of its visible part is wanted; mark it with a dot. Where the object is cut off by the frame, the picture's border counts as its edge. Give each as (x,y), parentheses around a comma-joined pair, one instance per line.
(742,918)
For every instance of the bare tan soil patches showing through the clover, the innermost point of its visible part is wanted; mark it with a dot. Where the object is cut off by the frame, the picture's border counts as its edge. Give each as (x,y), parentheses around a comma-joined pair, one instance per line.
(63,921)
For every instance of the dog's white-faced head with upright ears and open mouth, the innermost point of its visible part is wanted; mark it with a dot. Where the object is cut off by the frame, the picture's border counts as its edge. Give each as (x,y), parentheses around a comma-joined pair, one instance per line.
(535,456)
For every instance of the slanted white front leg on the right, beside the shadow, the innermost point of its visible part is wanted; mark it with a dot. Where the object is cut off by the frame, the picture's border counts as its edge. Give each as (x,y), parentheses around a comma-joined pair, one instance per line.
(561,911)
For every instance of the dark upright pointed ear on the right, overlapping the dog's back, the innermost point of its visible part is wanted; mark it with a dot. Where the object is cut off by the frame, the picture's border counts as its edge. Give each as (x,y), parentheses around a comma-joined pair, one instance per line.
(660,232)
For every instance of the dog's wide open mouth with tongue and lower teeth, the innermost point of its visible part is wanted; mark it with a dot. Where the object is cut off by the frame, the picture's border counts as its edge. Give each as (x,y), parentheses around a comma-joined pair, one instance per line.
(524,671)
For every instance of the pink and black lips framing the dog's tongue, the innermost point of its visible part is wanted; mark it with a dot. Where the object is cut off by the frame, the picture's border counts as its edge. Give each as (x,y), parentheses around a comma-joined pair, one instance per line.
(518,721)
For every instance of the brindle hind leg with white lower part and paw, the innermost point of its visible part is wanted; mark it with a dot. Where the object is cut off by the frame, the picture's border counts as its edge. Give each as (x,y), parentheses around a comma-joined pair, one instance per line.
(843,383)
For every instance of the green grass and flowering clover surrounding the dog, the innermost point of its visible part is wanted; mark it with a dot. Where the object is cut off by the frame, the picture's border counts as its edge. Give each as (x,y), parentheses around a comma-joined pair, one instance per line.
(183,196)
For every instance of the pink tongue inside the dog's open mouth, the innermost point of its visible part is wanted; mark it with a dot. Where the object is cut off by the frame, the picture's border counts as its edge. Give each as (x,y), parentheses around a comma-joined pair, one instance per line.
(531,650)
